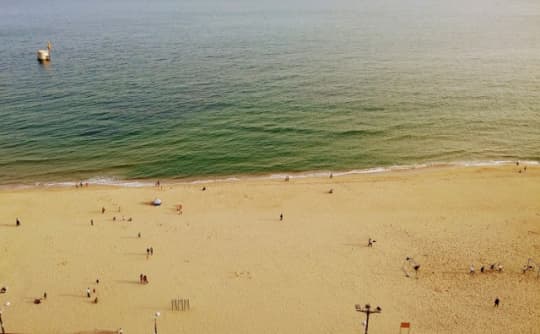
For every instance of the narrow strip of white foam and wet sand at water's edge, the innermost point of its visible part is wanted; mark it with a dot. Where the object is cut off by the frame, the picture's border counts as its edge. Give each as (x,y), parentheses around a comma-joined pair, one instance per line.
(142,183)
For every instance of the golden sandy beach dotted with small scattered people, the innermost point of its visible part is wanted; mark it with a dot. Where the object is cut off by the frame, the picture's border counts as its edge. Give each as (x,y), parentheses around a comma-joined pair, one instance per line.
(245,271)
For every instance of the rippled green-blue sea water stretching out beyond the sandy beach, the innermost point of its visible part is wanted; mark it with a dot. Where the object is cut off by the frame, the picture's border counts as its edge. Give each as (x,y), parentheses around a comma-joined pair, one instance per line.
(215,88)
